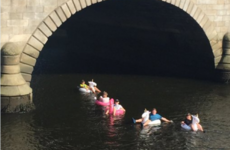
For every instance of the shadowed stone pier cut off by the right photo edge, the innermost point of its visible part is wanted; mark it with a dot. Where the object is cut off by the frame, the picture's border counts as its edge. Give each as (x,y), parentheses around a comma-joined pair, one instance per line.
(223,68)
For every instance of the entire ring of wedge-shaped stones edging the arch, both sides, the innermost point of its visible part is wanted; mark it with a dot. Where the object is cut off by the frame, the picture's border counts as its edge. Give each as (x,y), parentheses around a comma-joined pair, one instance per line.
(59,15)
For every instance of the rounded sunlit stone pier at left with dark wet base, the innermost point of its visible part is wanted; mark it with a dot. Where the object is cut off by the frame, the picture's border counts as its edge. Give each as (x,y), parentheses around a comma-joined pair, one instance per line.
(16,94)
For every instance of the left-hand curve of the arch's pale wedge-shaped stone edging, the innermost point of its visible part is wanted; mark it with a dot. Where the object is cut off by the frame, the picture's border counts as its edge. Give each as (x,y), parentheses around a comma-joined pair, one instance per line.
(45,29)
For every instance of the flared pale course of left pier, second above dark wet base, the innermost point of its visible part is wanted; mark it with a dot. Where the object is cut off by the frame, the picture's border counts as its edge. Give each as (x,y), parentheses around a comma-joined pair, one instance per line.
(12,79)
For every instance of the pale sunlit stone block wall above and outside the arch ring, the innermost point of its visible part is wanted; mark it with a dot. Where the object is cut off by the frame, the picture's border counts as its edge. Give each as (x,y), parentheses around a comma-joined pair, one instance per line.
(20,18)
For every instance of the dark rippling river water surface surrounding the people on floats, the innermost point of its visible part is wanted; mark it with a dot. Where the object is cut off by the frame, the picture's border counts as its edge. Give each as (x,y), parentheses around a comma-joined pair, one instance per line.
(65,119)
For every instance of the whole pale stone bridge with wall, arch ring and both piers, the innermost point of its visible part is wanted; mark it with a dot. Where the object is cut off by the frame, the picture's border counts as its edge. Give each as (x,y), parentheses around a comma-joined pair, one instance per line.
(26,26)
